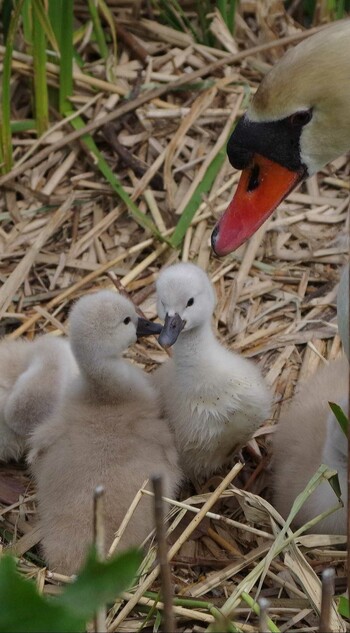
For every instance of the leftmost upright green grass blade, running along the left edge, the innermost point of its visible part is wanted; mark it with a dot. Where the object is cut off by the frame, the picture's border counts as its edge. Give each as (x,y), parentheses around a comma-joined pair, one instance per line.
(5,104)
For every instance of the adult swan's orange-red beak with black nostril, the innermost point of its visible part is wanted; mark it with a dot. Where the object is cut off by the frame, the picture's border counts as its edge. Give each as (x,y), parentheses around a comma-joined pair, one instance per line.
(262,186)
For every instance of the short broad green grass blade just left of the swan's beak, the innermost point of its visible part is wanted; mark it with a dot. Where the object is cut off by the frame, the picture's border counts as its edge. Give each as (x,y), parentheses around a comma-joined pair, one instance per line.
(192,206)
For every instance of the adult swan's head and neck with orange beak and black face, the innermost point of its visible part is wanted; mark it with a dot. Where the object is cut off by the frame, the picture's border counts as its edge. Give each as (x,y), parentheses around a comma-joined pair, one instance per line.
(298,121)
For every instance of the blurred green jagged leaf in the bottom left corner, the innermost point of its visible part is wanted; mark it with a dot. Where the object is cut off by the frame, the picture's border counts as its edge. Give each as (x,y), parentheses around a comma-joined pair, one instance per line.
(24,609)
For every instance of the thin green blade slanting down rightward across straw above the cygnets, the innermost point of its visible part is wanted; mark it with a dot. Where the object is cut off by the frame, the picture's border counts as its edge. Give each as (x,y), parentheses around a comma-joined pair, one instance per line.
(104,168)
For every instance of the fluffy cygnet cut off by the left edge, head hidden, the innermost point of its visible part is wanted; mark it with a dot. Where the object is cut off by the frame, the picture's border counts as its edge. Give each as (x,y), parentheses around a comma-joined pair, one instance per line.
(33,376)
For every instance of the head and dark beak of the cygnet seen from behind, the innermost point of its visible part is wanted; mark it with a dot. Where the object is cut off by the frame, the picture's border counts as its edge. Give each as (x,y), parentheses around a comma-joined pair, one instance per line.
(103,325)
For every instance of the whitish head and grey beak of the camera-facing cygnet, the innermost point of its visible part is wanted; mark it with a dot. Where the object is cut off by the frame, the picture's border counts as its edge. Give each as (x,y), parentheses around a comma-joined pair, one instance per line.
(185,300)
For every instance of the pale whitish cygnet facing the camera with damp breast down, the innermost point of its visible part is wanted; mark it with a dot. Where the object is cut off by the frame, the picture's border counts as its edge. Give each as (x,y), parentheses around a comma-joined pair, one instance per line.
(213,398)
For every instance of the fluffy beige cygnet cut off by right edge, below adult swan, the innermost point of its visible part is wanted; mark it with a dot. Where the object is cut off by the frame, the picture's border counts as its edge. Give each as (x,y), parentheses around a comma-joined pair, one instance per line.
(308,435)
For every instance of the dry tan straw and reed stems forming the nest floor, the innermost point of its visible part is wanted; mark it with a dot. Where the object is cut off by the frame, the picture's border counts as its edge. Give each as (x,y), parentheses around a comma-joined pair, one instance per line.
(283,286)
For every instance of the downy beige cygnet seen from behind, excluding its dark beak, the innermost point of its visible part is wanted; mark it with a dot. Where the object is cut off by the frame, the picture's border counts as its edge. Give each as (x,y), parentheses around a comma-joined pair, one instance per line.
(108,431)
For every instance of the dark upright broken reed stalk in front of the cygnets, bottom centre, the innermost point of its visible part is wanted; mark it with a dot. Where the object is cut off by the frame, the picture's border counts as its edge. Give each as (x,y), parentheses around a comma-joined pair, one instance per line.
(165,577)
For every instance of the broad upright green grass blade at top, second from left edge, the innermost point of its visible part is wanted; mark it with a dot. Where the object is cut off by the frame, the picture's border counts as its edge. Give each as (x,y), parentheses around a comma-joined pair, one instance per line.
(39,67)
